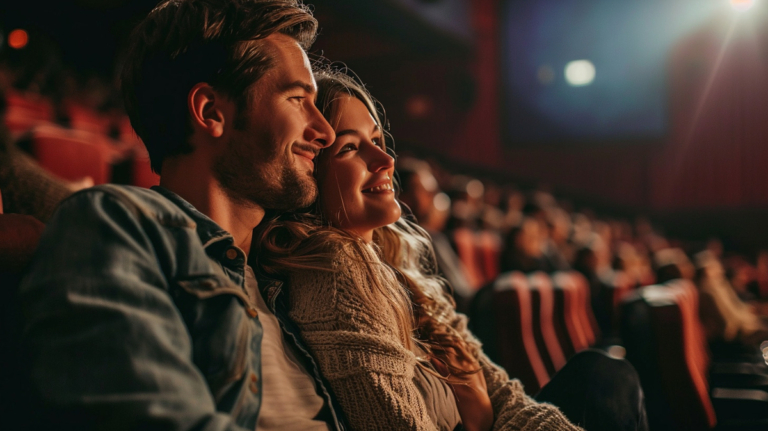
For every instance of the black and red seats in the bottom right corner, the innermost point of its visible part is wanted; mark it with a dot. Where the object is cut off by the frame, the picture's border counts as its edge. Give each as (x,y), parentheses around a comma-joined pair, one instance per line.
(665,341)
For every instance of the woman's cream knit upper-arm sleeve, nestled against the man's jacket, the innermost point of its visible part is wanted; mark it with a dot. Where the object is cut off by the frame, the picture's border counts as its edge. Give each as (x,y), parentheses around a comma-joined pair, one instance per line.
(357,348)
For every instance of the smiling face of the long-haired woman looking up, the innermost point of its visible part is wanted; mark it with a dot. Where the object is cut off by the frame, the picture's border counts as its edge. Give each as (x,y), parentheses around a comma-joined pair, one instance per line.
(355,174)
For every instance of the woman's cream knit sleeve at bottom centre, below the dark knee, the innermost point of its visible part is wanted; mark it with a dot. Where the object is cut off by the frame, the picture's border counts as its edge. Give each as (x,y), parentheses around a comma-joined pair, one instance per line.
(512,408)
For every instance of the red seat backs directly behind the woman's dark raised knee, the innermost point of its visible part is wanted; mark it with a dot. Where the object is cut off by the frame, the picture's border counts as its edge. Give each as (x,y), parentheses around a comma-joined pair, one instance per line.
(531,324)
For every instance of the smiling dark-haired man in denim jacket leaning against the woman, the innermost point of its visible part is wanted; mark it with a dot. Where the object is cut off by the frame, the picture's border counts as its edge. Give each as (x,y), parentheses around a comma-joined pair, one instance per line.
(138,312)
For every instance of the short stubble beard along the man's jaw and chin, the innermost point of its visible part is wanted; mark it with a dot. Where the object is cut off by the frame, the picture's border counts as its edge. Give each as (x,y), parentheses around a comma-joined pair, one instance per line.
(272,184)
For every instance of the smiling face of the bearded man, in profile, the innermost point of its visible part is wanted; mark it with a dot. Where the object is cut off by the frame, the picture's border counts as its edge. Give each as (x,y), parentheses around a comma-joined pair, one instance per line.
(269,156)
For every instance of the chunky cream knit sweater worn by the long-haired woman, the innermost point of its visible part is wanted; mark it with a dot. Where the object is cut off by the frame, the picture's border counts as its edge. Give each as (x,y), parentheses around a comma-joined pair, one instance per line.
(372,373)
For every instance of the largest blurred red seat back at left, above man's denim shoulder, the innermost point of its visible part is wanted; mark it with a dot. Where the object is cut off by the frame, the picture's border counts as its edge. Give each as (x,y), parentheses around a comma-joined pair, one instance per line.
(69,156)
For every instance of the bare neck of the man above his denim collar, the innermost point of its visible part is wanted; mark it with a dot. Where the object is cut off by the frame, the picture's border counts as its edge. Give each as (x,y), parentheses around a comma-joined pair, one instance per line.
(207,196)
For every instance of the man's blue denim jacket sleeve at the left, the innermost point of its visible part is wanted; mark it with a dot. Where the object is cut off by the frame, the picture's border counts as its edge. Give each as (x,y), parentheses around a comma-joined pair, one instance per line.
(108,348)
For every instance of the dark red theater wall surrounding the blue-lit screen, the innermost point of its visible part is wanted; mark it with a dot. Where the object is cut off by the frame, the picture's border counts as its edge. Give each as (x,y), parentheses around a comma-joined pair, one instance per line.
(716,156)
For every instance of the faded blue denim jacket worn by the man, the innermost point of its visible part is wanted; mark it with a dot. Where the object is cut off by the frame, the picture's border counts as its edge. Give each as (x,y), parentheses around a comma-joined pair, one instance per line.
(136,317)
